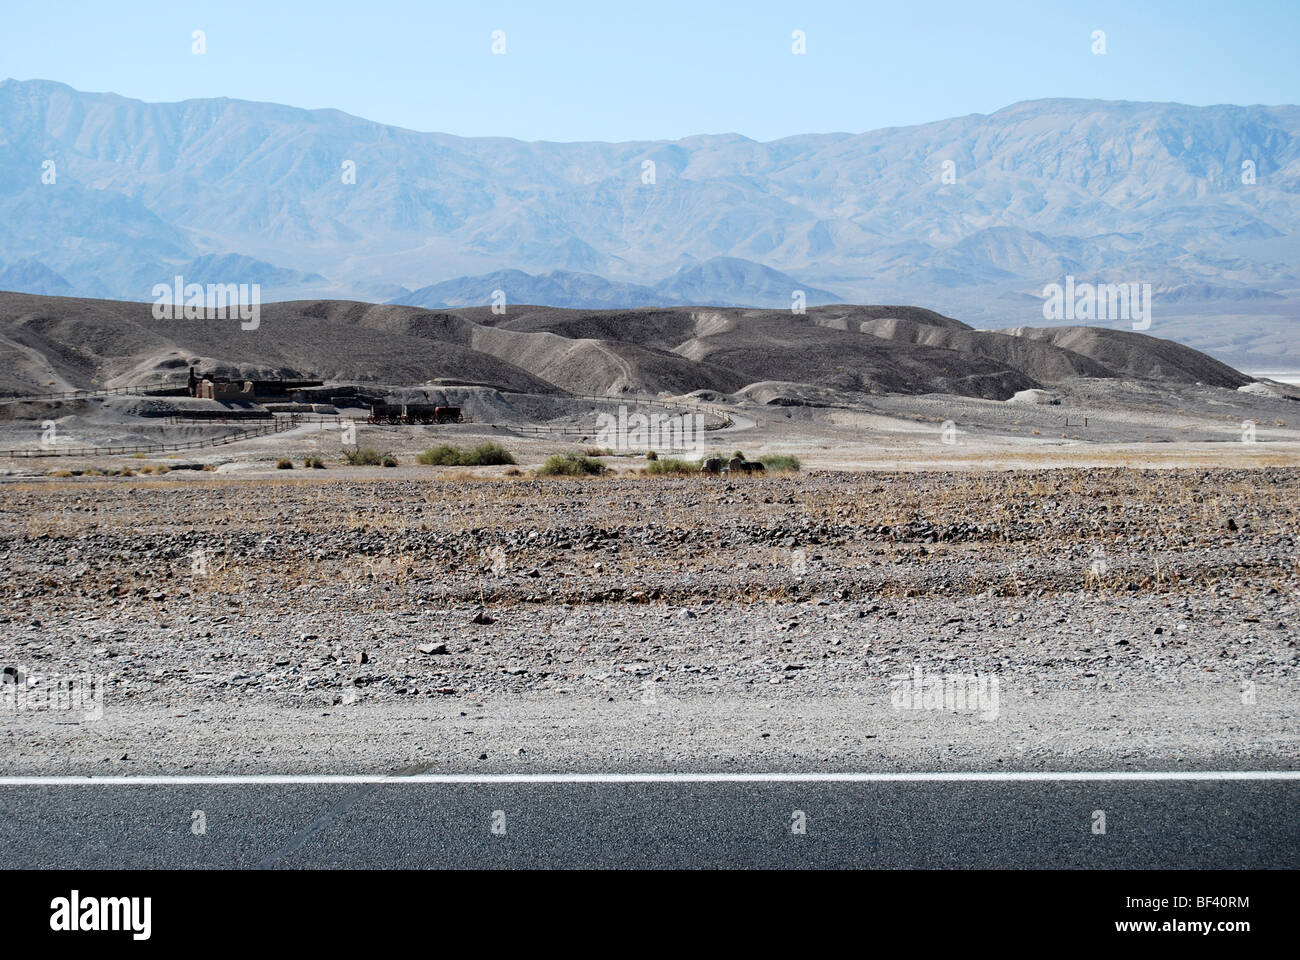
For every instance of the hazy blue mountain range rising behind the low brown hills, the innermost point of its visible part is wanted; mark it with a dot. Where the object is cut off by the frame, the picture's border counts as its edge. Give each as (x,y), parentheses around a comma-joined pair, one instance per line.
(106,197)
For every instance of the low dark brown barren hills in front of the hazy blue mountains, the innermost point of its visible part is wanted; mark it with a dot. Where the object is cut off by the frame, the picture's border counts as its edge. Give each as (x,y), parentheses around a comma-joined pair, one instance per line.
(50,344)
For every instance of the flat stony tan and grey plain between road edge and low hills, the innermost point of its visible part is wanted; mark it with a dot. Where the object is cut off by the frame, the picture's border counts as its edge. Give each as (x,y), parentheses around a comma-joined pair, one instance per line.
(1126,606)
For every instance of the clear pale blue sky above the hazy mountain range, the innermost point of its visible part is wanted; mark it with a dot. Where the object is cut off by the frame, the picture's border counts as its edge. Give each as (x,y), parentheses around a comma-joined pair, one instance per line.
(622,70)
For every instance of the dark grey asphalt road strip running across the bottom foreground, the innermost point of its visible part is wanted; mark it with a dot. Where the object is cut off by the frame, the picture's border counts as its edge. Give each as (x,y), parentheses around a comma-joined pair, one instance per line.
(612,823)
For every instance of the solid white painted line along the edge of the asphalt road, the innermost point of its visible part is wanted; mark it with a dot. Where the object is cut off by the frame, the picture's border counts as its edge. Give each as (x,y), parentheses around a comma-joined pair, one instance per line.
(950,777)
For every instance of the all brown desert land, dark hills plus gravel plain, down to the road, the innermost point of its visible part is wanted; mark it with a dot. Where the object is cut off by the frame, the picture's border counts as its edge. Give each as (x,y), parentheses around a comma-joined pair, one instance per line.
(1099,527)
